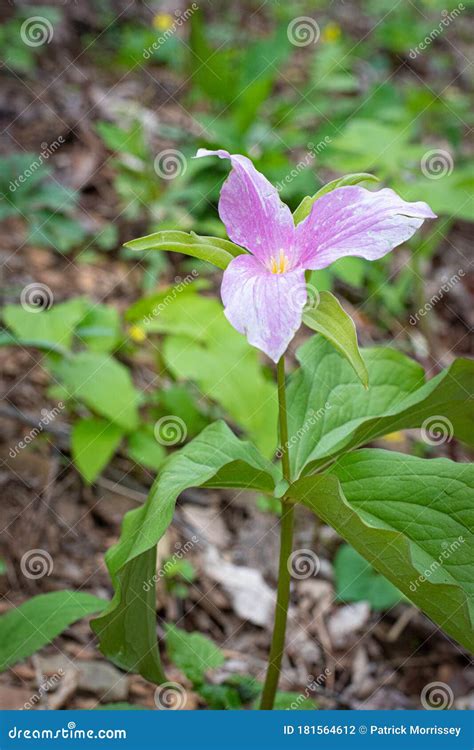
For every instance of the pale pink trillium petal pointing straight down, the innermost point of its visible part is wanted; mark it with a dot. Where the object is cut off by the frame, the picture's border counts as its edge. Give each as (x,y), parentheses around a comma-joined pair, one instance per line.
(266,307)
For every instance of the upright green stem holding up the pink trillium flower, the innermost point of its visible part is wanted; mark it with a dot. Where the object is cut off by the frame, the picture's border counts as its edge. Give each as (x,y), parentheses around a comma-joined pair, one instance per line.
(286,545)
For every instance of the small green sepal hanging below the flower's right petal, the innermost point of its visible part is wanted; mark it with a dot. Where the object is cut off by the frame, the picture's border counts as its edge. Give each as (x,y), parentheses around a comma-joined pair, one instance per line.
(331,320)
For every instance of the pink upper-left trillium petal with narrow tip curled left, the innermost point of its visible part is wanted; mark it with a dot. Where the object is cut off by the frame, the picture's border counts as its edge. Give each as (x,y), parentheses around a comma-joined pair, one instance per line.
(251,209)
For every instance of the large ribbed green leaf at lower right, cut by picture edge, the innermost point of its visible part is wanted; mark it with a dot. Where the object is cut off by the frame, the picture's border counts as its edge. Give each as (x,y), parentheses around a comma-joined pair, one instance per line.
(412,519)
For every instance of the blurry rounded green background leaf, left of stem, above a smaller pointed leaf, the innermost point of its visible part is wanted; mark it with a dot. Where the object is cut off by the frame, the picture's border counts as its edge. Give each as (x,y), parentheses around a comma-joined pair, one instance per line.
(103,384)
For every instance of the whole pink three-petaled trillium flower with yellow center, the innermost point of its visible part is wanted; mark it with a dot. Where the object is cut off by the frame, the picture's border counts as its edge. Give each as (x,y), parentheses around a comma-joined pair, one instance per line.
(264,289)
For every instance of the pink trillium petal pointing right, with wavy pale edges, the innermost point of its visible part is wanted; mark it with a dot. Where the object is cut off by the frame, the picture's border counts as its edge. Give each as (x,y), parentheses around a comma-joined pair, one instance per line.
(355,221)
